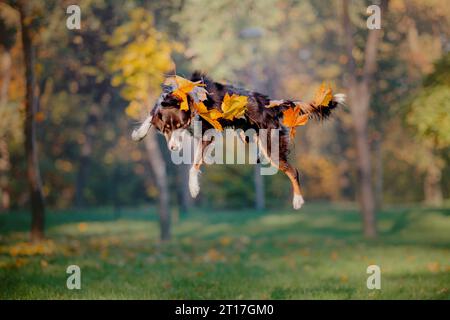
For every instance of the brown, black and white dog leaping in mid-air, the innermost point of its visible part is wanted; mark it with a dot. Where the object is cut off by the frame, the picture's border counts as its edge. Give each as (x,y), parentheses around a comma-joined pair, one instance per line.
(167,118)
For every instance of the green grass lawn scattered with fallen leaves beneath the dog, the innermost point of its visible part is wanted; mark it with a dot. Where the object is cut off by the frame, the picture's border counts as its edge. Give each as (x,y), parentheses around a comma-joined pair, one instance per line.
(316,253)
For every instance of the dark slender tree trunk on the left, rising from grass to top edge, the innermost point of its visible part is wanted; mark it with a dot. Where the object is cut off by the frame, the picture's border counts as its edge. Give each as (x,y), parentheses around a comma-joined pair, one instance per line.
(31,100)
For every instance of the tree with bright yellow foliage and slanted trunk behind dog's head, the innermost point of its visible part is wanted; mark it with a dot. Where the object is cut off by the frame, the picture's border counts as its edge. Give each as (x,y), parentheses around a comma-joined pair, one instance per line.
(140,57)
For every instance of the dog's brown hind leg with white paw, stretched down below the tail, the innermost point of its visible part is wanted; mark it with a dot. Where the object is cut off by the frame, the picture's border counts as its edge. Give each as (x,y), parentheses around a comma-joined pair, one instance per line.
(283,165)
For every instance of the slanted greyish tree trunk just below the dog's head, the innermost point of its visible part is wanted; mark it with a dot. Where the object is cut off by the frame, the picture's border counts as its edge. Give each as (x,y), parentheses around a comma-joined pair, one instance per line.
(158,166)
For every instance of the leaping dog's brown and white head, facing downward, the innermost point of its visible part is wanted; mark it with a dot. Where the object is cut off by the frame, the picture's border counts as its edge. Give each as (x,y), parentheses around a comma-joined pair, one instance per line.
(169,120)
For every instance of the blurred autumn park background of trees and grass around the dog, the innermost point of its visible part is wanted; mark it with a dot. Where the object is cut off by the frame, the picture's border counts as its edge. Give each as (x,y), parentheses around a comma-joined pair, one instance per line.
(74,188)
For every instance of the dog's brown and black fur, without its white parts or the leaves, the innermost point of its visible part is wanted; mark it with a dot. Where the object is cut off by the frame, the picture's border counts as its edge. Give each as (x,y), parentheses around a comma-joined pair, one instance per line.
(167,117)
